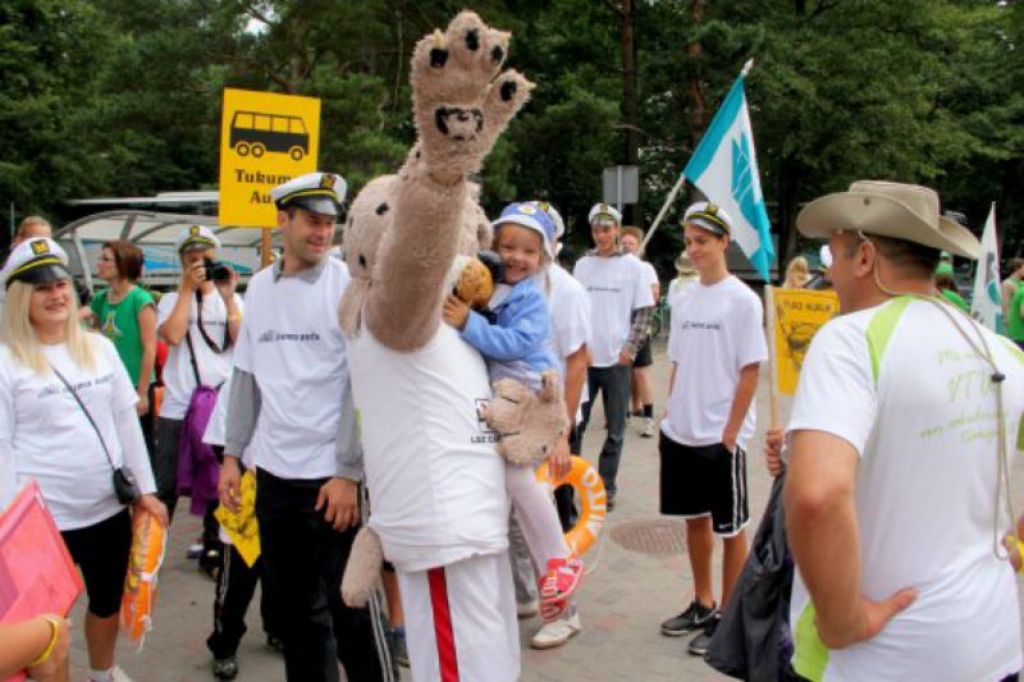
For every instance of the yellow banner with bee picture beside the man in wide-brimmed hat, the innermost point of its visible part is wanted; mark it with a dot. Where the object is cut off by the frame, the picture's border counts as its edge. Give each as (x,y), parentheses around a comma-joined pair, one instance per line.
(797,315)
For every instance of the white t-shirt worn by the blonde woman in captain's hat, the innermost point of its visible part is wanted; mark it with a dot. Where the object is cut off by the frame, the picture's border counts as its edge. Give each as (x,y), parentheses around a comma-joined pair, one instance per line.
(50,440)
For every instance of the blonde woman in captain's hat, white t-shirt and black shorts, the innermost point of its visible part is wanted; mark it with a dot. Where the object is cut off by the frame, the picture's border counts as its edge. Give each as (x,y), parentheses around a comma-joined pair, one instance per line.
(68,420)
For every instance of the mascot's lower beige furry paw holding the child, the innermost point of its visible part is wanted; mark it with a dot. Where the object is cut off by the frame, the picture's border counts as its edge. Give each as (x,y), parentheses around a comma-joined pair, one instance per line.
(529,425)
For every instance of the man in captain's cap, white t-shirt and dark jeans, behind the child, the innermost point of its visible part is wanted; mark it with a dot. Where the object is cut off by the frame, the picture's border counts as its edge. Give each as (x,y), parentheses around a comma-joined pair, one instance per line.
(621,308)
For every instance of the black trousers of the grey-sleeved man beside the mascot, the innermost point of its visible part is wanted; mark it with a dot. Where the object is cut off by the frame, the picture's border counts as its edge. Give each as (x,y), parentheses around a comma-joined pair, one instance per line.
(305,559)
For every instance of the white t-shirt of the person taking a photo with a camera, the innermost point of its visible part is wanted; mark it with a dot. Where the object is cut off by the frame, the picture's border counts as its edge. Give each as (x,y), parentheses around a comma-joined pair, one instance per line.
(180,379)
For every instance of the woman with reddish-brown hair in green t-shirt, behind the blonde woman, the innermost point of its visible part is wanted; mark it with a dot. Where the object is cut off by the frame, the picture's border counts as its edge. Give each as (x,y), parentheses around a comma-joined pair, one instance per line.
(126,315)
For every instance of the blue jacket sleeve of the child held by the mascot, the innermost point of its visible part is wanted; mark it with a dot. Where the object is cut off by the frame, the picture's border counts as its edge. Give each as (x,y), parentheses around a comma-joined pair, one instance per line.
(523,328)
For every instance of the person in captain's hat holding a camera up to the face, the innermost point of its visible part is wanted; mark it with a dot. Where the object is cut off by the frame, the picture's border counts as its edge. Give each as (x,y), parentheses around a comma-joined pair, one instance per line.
(200,323)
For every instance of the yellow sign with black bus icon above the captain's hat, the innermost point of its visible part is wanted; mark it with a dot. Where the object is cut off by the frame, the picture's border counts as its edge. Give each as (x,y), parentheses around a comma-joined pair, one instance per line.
(267,140)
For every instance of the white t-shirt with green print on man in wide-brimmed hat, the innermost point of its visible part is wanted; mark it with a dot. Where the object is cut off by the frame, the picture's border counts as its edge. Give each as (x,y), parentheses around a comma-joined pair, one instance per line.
(904,388)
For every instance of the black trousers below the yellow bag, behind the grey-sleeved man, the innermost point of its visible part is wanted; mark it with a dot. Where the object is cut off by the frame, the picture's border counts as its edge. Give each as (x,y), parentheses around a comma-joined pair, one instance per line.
(236,587)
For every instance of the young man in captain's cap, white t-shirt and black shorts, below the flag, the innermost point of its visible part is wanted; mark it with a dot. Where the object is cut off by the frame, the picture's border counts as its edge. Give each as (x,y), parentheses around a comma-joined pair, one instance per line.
(716,346)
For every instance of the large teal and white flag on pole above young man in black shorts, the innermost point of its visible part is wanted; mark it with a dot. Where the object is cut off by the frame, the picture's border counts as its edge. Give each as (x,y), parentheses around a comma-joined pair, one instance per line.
(726,169)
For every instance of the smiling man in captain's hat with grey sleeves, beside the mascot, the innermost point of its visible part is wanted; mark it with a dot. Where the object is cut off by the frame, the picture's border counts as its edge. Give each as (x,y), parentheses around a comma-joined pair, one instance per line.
(291,411)
